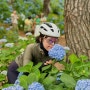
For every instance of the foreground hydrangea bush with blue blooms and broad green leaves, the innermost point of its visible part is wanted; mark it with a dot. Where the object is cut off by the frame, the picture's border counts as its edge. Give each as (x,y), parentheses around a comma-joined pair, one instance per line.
(55,80)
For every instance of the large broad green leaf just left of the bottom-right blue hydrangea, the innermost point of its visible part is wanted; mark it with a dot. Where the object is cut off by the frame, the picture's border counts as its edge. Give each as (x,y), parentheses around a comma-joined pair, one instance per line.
(68,80)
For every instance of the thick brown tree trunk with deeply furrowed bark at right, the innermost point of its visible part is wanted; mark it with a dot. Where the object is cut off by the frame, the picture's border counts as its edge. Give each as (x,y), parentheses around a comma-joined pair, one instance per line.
(77,26)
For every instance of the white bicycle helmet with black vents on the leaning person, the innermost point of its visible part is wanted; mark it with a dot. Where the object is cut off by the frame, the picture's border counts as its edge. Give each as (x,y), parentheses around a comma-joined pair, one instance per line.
(49,29)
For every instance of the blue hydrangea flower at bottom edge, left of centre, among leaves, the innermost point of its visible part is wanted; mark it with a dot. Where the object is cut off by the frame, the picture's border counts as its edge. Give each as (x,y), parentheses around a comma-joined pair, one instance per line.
(36,86)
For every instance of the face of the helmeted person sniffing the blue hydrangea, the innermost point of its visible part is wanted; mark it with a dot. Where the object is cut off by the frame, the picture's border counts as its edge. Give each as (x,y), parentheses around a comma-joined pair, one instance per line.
(49,42)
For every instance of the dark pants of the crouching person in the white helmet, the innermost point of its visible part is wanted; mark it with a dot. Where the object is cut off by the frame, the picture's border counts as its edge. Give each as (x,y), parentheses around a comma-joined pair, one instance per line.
(12,72)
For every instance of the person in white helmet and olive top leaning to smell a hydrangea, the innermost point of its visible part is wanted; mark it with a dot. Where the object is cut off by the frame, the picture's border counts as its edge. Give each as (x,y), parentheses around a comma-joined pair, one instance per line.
(37,52)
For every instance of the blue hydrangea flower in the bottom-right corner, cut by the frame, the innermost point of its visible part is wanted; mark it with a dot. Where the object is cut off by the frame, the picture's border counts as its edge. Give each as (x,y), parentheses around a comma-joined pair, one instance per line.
(83,84)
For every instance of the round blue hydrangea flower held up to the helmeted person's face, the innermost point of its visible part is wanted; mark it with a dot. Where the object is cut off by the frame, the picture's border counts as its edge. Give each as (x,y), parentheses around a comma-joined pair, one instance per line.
(57,52)
